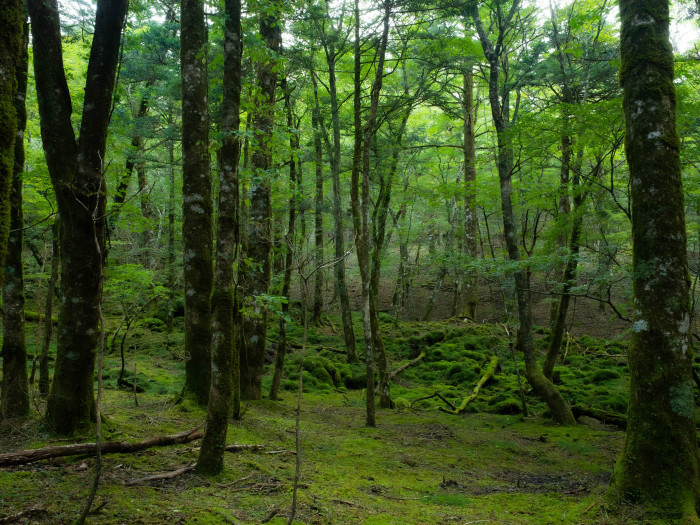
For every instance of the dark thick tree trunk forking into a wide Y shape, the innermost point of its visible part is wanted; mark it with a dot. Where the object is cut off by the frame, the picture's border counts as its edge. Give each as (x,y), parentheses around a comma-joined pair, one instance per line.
(77,173)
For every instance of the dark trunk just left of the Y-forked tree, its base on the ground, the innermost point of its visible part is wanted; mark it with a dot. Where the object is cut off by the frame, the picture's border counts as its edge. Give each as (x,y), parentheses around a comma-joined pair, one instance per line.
(15,398)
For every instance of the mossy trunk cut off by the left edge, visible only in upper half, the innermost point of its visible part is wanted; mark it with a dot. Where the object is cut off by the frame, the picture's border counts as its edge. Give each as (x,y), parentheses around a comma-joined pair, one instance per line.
(12,17)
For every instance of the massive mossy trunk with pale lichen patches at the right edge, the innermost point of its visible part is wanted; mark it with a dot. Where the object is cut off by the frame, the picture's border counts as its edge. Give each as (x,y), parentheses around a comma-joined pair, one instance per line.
(658,466)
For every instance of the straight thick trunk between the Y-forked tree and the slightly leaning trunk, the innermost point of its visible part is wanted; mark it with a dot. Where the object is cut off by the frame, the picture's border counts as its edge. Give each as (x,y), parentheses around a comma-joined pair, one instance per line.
(196,200)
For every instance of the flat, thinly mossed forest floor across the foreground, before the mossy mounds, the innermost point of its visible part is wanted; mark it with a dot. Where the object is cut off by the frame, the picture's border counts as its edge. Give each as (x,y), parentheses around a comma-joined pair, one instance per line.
(416,466)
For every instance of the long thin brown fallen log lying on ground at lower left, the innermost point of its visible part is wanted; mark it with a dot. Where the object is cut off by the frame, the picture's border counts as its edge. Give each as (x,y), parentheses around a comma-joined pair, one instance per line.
(29,456)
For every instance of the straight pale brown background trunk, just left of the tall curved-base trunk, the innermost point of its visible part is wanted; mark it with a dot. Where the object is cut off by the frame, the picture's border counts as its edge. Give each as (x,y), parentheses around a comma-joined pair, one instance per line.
(471,296)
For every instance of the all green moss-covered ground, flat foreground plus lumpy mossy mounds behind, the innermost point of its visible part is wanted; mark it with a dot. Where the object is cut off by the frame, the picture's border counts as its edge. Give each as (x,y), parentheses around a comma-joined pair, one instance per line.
(418,465)
